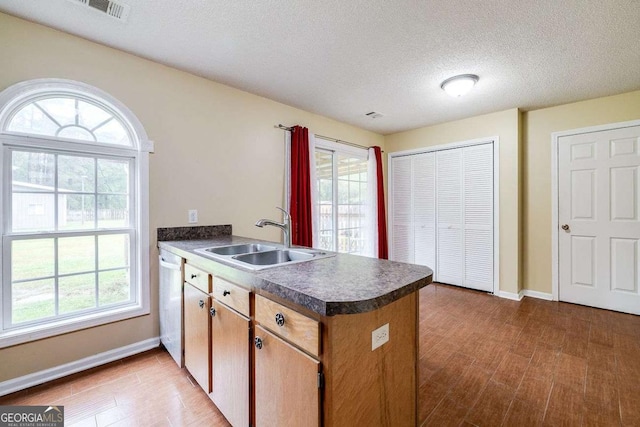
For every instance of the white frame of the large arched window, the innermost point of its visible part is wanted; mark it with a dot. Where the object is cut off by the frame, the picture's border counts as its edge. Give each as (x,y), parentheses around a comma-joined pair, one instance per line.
(13,98)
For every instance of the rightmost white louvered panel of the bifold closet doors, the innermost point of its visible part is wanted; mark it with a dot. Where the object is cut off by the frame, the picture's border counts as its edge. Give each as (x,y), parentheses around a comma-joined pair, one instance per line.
(477,167)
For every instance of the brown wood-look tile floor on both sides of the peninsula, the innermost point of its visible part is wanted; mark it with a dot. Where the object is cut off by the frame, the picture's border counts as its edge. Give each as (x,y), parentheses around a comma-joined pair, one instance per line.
(484,361)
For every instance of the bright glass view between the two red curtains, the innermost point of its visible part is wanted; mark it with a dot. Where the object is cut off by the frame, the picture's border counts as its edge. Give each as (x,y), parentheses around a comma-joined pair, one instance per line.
(342,201)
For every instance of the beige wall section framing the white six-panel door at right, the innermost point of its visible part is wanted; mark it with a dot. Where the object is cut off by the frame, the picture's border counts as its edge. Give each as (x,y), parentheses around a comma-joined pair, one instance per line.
(536,184)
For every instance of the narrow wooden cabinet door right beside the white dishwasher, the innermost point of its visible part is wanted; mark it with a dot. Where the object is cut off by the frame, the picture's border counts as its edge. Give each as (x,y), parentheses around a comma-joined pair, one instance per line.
(197,351)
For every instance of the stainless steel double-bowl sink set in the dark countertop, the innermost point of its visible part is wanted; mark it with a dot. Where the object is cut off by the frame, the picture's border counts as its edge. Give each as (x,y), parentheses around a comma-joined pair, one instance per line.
(257,256)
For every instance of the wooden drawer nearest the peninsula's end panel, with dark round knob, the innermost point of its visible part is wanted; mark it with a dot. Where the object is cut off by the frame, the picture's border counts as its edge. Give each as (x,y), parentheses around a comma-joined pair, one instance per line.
(289,324)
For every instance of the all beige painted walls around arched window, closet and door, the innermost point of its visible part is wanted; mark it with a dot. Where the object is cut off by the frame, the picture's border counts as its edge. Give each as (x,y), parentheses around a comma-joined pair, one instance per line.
(217,151)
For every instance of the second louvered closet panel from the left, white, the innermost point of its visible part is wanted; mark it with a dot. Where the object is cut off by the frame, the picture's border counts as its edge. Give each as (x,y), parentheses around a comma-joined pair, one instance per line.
(424,209)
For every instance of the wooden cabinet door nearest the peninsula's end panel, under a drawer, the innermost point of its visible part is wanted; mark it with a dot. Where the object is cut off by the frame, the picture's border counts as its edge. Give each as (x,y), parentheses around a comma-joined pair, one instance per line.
(286,384)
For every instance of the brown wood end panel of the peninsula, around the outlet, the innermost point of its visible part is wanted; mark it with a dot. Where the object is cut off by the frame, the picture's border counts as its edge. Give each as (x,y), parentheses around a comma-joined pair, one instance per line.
(365,387)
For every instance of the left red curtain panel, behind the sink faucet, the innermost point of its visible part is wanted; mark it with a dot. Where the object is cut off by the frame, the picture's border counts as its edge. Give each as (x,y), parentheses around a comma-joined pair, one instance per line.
(300,202)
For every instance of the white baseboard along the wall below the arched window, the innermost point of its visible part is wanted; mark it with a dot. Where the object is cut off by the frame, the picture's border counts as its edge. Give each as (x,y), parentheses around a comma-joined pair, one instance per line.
(36,378)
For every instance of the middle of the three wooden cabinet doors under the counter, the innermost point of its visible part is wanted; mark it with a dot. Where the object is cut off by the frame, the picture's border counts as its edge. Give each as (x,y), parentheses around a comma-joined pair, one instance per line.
(230,364)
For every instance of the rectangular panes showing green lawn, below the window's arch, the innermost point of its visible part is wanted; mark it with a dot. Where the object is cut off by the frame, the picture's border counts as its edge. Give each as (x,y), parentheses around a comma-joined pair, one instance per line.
(86,193)
